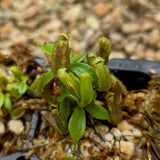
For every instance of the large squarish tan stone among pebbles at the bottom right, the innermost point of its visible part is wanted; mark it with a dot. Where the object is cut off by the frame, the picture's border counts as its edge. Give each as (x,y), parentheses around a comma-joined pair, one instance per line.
(127,149)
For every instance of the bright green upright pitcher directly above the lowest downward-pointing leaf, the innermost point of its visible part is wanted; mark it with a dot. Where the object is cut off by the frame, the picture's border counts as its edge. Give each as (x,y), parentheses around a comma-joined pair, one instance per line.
(86,89)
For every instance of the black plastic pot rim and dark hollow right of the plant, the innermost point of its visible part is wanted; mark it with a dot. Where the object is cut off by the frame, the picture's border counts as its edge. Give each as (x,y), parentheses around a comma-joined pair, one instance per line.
(135,74)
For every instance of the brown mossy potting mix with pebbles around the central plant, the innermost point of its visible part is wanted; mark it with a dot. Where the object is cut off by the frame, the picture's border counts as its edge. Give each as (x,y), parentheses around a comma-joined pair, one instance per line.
(138,131)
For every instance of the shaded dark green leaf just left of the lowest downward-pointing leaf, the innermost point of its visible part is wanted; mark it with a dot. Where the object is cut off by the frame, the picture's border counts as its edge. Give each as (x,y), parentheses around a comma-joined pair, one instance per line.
(64,109)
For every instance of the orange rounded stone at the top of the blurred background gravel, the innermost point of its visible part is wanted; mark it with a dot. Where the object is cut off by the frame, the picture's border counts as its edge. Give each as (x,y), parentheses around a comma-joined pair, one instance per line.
(101,9)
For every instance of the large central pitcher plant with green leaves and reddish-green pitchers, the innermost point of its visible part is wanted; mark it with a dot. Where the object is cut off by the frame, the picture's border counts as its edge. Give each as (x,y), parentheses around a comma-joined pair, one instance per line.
(80,80)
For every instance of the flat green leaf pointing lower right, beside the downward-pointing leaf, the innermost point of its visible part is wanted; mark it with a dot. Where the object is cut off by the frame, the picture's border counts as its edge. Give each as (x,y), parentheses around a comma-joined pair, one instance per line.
(97,111)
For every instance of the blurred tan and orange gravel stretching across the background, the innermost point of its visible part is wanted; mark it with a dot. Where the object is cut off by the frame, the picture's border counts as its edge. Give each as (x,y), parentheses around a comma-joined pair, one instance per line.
(131,26)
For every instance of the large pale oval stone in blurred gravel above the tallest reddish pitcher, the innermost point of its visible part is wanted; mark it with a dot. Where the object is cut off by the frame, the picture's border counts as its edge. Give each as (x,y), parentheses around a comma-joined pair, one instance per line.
(73,14)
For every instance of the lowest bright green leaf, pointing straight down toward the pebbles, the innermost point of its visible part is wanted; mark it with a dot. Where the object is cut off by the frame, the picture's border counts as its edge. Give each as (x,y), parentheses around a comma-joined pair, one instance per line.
(77,124)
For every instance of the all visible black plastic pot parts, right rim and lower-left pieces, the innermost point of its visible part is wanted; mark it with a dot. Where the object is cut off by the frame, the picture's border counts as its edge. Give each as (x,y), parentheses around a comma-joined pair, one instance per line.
(135,74)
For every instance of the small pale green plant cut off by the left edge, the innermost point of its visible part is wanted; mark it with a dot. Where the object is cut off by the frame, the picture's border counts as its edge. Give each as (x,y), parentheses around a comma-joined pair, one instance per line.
(12,87)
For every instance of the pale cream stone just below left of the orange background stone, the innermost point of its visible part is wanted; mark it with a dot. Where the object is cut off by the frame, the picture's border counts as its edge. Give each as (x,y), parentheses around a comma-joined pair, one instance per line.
(92,22)
